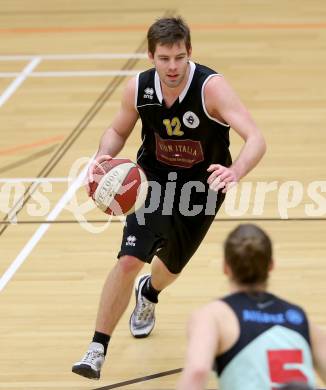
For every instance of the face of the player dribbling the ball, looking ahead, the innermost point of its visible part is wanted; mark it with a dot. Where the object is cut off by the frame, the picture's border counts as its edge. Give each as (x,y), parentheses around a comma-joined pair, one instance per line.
(171,63)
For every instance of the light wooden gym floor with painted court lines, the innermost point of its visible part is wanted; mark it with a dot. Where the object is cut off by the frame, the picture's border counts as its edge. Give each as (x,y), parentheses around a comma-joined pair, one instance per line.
(62,69)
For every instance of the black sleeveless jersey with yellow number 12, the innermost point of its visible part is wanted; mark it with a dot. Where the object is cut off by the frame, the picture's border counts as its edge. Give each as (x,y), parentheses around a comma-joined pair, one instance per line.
(182,138)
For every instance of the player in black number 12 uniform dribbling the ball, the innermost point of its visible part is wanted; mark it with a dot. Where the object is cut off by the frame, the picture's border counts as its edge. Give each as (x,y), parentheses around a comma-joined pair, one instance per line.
(186,110)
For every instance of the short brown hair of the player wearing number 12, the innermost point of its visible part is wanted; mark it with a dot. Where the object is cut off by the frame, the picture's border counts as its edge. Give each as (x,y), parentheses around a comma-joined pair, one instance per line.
(168,31)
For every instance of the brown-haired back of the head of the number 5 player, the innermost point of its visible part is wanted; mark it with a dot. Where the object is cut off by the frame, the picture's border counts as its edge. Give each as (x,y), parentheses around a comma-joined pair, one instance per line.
(248,252)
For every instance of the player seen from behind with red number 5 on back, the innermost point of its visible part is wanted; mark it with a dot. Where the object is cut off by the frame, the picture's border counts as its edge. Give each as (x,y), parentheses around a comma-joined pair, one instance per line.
(256,339)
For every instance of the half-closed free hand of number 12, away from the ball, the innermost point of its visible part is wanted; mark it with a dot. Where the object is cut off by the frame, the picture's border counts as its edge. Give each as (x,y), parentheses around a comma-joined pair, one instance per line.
(221,178)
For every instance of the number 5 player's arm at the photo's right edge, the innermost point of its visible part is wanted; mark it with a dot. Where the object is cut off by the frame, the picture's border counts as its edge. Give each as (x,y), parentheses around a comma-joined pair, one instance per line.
(318,346)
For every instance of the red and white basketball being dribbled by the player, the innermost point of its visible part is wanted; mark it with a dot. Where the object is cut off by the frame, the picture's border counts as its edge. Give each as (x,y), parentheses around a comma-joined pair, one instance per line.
(118,186)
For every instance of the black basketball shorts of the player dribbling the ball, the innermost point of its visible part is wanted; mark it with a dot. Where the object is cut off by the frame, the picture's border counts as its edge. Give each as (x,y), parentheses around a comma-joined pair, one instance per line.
(173,234)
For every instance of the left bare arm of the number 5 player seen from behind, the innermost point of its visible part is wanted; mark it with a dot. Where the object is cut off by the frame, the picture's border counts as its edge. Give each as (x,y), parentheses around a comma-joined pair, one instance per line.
(203,335)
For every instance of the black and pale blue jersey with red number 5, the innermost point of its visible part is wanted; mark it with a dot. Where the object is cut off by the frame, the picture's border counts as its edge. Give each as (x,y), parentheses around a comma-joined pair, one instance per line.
(273,346)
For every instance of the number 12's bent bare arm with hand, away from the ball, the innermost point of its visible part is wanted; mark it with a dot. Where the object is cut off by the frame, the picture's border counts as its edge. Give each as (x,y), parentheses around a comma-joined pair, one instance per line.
(223,104)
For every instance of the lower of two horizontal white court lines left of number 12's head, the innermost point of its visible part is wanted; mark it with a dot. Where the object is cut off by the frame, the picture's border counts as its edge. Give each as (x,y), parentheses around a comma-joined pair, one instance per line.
(82,73)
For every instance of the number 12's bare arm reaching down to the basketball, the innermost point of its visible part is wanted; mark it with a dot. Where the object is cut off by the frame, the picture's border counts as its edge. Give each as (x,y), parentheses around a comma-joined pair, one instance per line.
(115,136)
